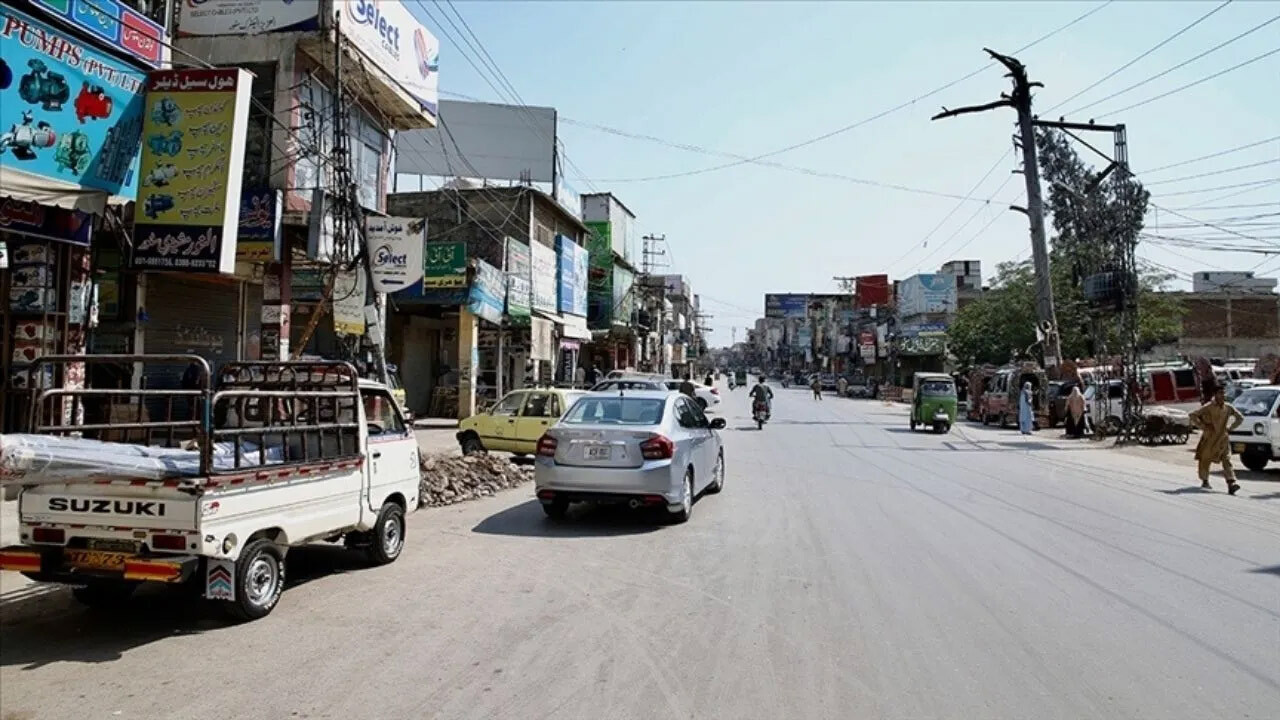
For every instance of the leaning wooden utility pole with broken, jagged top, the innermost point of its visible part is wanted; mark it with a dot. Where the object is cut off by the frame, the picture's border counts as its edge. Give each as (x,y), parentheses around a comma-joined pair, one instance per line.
(1021,101)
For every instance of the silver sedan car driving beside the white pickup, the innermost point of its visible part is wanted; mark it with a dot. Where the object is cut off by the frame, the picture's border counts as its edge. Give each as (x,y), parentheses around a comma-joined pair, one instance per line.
(647,449)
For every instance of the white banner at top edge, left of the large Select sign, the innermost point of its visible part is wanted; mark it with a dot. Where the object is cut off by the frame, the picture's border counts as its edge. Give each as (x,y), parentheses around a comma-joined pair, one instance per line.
(248,17)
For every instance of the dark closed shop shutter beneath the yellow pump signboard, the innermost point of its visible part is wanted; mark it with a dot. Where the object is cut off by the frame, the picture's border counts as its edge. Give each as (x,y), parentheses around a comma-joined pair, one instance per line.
(190,317)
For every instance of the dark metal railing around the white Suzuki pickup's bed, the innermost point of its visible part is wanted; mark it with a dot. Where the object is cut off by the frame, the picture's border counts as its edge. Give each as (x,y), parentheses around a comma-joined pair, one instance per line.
(260,413)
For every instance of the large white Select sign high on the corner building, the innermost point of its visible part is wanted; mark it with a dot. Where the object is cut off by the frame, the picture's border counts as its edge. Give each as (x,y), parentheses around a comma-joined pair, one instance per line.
(394,39)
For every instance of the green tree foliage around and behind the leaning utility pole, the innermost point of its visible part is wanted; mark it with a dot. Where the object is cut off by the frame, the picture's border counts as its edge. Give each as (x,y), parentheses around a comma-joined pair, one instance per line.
(1091,221)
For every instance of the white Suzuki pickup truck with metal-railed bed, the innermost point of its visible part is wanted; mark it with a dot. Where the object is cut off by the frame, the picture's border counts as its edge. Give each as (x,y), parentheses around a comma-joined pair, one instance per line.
(211,485)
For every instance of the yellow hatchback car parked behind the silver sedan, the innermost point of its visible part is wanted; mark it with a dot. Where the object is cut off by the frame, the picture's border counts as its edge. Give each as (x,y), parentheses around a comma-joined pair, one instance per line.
(516,422)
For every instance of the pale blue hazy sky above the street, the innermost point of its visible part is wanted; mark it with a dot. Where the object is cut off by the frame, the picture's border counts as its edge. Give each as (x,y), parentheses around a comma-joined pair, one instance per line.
(751,79)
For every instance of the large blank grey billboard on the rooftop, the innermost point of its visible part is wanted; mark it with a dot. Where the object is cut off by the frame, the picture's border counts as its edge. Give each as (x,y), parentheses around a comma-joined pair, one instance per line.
(500,143)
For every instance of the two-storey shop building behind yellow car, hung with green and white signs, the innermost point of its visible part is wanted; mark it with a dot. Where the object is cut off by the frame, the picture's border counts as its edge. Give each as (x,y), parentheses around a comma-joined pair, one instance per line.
(460,343)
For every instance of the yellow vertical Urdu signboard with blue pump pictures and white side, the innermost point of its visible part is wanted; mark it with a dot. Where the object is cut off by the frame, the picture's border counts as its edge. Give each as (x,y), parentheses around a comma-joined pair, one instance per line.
(188,216)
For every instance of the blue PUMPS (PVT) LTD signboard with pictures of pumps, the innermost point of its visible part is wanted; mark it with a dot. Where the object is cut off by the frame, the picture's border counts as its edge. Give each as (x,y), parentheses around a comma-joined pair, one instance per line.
(68,113)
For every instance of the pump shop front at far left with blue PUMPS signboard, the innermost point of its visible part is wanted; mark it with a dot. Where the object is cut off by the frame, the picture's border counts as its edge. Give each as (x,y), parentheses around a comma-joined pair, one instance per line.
(72,103)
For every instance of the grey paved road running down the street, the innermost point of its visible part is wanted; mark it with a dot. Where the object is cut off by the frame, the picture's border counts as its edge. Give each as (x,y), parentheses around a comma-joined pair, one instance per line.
(851,569)
